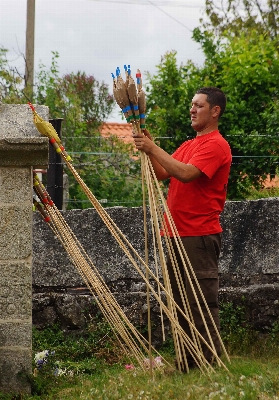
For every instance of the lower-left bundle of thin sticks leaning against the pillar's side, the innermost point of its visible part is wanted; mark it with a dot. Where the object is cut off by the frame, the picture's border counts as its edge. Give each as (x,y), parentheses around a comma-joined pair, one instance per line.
(134,345)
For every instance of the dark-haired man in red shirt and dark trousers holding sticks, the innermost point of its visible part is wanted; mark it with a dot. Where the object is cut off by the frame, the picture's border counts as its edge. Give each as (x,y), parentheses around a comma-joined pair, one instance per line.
(198,172)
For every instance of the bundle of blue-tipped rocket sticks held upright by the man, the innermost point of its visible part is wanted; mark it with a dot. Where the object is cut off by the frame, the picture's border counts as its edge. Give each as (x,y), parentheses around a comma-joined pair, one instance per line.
(161,218)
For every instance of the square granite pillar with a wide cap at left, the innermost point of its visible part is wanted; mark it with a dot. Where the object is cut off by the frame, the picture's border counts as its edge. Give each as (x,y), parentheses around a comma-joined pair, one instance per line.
(22,147)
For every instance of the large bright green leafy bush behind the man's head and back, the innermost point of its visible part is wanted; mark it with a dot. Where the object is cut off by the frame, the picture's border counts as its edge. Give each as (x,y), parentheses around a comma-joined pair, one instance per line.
(246,68)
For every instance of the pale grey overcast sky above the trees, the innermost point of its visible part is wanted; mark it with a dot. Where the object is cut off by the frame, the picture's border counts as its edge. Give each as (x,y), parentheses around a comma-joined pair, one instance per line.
(96,36)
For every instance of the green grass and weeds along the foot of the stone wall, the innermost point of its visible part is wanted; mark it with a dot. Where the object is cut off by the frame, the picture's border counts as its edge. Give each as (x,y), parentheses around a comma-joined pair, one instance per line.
(94,367)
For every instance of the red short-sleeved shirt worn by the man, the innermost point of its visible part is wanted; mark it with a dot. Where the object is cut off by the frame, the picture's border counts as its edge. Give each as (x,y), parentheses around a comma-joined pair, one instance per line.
(196,206)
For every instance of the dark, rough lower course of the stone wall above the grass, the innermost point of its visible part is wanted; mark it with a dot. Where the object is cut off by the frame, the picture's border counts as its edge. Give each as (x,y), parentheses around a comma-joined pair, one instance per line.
(73,310)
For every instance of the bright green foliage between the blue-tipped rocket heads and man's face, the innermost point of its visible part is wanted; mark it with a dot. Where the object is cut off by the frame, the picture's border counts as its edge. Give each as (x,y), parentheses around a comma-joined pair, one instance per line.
(169,93)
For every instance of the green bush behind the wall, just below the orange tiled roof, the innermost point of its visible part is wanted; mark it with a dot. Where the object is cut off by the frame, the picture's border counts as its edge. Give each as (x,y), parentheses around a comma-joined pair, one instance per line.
(110,171)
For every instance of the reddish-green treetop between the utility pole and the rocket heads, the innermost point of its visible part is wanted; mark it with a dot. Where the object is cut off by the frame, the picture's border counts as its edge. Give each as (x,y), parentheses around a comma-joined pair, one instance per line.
(82,101)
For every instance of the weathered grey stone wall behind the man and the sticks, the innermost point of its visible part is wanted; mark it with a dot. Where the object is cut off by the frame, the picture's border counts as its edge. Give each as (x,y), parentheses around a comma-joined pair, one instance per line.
(249,265)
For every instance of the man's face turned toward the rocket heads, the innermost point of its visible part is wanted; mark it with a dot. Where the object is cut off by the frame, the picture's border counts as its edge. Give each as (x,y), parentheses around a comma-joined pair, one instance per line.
(201,114)
